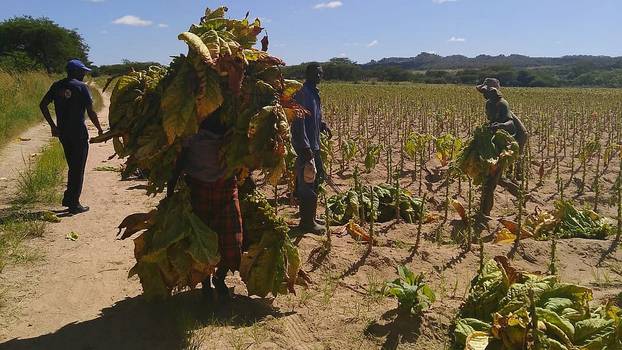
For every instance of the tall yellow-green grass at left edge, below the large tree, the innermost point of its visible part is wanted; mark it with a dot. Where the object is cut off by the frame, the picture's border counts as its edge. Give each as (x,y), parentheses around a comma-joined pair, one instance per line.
(20,95)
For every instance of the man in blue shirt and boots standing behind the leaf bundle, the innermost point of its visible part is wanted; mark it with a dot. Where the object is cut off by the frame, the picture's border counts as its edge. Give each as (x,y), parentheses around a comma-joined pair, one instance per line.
(306,142)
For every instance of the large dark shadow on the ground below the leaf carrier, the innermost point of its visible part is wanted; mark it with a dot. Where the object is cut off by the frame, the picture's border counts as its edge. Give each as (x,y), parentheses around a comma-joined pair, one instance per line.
(134,323)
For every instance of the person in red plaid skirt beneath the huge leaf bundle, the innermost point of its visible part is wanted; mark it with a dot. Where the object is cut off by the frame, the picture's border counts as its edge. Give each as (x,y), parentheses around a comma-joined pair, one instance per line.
(214,198)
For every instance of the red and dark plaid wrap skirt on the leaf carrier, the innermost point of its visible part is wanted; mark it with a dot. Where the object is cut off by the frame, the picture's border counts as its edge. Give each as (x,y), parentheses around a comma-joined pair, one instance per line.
(217,205)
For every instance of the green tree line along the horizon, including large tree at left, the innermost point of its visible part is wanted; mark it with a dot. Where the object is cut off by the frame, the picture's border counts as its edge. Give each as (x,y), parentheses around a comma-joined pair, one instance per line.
(28,43)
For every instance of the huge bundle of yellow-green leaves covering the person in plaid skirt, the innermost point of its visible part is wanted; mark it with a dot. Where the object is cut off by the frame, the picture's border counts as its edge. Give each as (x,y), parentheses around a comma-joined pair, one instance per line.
(152,112)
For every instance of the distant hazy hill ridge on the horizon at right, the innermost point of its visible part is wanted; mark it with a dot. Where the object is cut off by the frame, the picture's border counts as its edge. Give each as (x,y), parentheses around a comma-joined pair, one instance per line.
(426,61)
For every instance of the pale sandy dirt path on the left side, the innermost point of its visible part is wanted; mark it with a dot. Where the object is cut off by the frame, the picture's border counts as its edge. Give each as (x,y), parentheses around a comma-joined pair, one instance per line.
(61,302)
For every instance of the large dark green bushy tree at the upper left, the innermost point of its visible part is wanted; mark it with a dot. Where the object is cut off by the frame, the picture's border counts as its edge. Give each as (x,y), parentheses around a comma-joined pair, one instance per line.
(43,41)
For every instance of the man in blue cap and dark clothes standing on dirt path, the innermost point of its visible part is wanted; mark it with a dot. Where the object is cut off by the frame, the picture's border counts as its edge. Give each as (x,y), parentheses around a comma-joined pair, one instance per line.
(72,99)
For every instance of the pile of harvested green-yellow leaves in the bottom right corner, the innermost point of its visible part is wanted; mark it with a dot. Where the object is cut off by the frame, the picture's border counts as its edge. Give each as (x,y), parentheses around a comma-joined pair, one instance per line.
(513,310)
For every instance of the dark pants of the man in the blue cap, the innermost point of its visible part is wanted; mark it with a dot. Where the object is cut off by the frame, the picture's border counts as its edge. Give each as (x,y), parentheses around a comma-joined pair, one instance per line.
(76,148)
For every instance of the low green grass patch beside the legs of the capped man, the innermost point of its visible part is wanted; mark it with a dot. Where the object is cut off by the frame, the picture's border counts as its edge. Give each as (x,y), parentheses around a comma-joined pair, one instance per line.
(39,182)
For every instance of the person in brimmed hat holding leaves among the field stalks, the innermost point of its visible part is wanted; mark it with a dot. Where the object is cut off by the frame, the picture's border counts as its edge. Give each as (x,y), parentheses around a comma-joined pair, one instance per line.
(500,117)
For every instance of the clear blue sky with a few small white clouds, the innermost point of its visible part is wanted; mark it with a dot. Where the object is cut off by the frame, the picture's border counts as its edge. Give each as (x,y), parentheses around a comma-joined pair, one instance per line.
(305,30)
